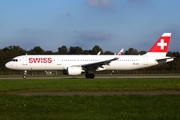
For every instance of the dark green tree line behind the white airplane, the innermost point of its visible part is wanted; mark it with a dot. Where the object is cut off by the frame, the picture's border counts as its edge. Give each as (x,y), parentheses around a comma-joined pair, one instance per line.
(7,53)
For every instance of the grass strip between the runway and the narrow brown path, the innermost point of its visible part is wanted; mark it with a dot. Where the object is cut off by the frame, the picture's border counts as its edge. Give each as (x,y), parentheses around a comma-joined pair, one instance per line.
(112,84)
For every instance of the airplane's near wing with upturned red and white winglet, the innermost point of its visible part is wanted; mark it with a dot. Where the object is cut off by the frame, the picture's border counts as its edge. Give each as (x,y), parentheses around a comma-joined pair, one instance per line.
(96,65)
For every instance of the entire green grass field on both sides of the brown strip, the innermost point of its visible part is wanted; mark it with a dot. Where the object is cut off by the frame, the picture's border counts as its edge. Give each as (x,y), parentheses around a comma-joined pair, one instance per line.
(115,107)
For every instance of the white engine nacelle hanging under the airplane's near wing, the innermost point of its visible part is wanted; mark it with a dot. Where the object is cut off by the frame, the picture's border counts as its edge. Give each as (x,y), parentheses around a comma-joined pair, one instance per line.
(72,71)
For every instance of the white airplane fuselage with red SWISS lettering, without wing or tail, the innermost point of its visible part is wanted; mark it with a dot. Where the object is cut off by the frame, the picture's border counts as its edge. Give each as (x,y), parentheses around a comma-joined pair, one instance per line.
(60,62)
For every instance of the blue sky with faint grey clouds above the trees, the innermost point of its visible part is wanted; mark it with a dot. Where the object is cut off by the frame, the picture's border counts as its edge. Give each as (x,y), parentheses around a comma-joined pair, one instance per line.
(110,24)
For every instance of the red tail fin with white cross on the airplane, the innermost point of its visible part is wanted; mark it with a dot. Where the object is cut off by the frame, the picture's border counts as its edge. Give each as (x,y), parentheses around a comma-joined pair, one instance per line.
(161,44)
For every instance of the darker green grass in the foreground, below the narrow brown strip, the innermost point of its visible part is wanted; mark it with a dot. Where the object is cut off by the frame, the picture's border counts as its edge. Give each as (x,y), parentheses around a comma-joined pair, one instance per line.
(14,107)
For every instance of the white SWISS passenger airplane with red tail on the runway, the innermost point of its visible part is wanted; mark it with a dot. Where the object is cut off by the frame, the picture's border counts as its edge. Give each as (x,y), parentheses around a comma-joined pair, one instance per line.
(77,64)
